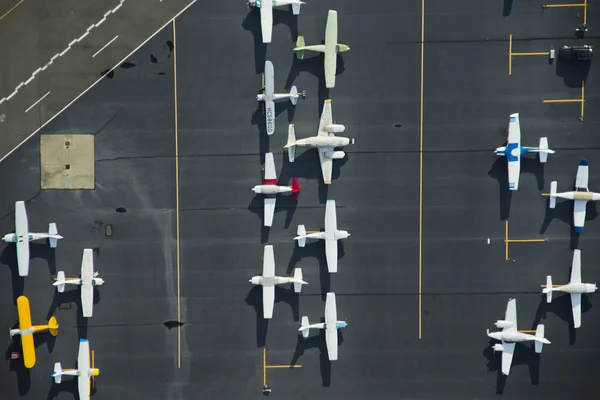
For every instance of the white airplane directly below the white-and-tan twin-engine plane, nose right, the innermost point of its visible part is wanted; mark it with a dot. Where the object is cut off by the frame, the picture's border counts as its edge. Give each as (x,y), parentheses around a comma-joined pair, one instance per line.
(331,235)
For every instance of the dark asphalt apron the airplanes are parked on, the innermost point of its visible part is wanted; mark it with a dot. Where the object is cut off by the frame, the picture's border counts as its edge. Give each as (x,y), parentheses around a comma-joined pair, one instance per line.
(418,301)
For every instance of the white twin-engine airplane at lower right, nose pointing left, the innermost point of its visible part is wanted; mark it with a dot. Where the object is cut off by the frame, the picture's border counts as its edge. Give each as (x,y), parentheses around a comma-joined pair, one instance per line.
(509,336)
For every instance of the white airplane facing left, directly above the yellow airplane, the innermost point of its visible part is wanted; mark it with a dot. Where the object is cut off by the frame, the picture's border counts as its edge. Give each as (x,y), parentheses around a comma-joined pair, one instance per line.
(22,237)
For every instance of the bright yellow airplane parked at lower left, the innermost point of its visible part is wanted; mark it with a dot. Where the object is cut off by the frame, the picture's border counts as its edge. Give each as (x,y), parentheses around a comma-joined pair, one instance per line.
(26,330)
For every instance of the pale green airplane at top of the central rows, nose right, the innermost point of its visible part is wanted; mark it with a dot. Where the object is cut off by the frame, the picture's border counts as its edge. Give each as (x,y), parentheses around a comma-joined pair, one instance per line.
(331,48)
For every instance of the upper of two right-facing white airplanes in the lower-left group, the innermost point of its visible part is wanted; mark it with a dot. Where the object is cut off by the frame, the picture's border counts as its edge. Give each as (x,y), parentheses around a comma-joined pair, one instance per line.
(87,281)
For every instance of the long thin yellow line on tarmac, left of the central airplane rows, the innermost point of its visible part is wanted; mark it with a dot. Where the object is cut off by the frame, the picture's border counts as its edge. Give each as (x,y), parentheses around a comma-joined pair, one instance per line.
(177,193)
